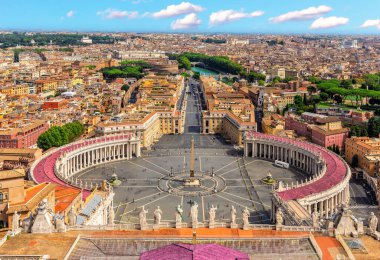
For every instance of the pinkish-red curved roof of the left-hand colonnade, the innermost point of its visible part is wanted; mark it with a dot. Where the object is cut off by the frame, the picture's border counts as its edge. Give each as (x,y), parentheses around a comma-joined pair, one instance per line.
(43,170)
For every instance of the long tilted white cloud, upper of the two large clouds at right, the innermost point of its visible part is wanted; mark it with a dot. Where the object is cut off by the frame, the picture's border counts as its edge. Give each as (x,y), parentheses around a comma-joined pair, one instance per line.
(305,14)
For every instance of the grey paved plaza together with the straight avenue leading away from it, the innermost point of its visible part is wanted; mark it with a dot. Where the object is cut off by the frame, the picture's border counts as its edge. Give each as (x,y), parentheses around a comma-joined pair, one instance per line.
(226,178)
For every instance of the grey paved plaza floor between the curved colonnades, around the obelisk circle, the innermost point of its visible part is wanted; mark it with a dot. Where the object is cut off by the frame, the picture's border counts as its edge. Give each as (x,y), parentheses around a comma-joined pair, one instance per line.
(141,177)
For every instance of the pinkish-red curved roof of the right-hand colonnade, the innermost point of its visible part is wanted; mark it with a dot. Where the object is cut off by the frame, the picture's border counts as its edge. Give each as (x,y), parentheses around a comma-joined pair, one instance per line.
(335,167)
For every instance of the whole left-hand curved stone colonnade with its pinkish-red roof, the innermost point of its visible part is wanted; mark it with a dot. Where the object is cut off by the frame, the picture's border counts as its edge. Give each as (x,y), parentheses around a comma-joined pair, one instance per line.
(59,165)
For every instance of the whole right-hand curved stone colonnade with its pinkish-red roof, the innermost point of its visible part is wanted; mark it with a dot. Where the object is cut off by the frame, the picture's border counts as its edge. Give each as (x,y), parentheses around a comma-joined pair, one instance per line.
(327,186)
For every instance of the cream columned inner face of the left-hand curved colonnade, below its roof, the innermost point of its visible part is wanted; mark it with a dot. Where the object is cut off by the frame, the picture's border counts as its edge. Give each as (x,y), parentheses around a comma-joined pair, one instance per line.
(91,155)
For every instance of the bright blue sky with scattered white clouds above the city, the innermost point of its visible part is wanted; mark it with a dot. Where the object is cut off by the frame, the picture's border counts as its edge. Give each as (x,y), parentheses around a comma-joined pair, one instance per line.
(194,16)
